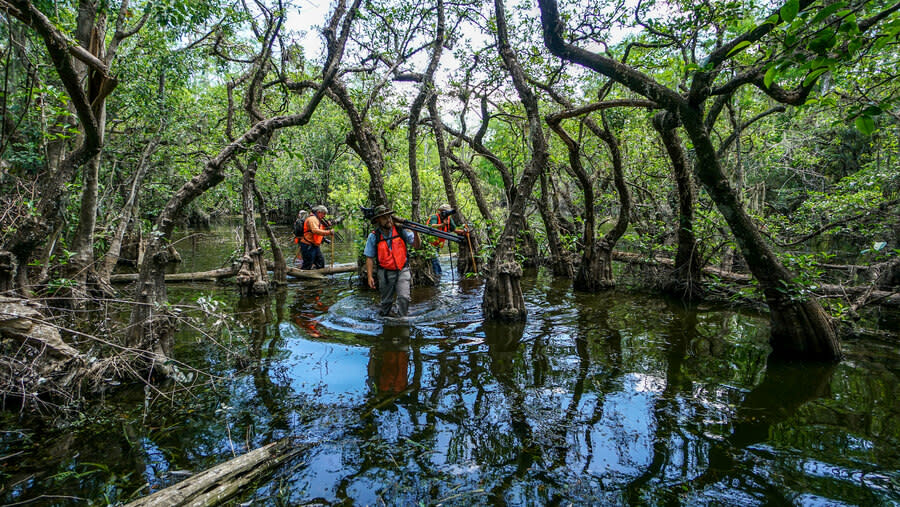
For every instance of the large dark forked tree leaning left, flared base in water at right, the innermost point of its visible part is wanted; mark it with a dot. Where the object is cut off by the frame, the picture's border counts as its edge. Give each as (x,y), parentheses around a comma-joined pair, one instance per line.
(800,326)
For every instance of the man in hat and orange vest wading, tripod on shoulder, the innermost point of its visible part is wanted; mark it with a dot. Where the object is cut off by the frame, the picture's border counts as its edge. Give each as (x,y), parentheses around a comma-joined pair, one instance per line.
(387,246)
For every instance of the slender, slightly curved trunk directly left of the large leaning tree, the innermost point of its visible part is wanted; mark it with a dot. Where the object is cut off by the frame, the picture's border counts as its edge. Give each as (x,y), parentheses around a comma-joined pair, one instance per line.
(685,278)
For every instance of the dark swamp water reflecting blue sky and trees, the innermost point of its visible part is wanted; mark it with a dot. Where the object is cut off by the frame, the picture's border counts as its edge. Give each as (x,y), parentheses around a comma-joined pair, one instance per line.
(606,399)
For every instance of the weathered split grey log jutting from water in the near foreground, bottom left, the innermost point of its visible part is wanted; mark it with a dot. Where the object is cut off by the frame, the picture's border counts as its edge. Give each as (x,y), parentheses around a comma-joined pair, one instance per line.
(223,481)
